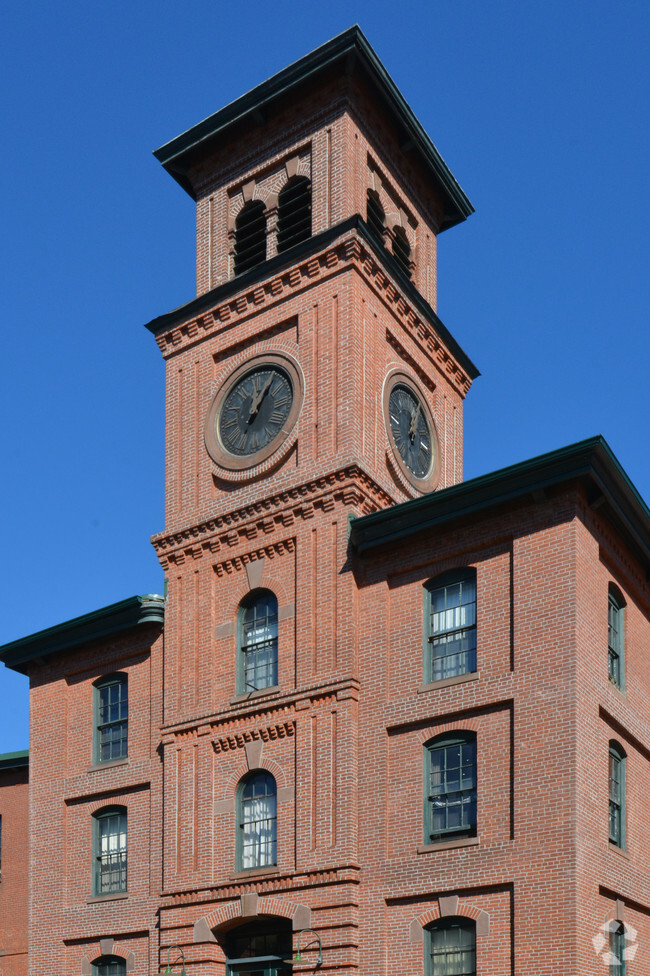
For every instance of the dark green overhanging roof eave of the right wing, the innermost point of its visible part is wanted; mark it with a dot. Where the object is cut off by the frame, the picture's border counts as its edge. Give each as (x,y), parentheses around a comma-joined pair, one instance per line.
(591,461)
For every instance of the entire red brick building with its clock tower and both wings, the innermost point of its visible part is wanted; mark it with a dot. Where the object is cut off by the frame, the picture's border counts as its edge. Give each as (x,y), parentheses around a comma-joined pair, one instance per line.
(384,719)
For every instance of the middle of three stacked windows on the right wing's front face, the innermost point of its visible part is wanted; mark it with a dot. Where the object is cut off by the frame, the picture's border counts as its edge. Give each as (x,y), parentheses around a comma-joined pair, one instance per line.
(450,787)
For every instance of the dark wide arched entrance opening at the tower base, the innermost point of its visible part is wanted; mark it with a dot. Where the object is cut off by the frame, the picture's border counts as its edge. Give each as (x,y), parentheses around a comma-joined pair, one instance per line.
(263,947)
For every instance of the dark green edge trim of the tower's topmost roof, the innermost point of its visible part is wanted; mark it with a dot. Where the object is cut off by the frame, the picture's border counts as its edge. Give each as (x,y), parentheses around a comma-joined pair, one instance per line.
(350,41)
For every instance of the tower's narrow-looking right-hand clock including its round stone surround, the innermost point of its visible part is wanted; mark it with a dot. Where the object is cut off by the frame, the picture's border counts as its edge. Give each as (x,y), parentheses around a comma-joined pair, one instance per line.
(411,432)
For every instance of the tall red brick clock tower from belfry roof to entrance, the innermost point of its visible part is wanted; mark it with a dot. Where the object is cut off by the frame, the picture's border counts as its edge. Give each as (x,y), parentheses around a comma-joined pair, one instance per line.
(309,382)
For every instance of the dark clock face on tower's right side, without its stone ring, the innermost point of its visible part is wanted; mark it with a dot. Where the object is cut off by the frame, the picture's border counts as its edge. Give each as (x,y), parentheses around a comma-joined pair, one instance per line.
(408,421)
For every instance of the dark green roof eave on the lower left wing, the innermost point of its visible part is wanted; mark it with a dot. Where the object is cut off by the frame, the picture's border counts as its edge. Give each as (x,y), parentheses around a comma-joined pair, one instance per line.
(106,622)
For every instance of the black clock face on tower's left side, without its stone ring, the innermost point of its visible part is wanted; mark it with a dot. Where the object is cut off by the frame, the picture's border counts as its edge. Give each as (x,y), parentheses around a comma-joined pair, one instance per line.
(254,410)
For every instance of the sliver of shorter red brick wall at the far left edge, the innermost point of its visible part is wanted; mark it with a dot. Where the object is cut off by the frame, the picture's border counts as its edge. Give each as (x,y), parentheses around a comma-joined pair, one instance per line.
(14,876)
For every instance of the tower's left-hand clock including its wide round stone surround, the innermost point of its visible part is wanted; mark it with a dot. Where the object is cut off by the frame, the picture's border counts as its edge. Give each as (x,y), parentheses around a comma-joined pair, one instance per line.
(253,412)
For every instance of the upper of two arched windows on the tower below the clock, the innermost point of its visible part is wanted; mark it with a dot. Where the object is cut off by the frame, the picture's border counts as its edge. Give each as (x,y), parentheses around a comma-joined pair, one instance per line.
(258,642)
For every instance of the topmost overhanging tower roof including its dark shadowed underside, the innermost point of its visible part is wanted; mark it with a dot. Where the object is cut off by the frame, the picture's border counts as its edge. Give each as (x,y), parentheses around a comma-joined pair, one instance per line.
(347,51)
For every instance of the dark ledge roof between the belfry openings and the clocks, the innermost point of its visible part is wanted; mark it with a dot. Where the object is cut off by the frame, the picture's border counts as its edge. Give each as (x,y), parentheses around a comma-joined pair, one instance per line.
(277,264)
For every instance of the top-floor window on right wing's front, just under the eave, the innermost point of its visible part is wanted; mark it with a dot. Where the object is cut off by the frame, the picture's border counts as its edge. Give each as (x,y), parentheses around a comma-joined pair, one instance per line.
(450,645)
